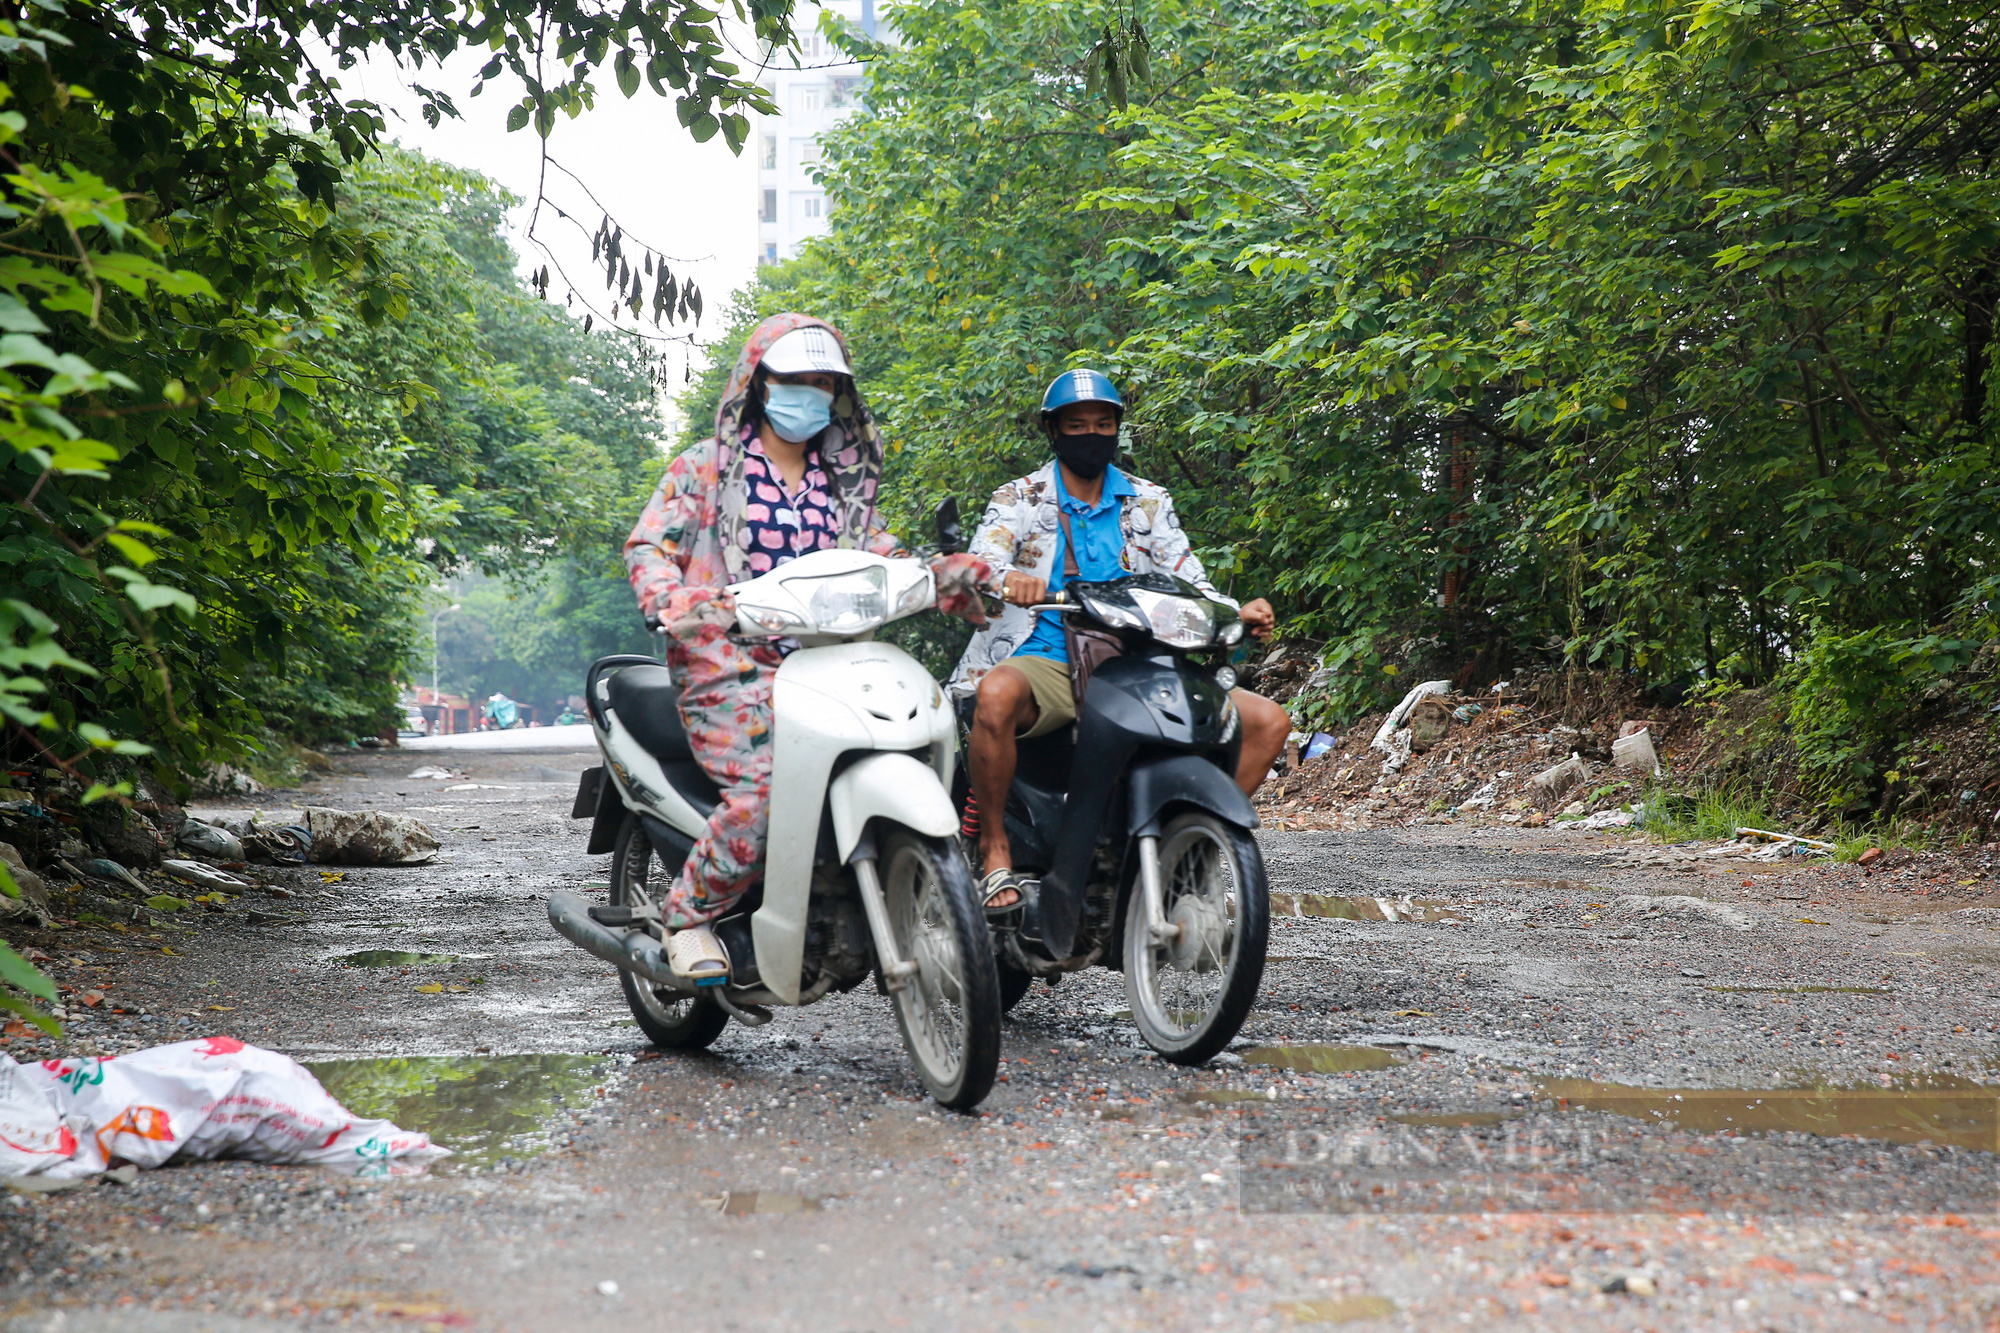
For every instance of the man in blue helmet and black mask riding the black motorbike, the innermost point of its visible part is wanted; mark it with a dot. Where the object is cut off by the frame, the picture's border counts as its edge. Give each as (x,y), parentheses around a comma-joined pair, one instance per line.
(1019,665)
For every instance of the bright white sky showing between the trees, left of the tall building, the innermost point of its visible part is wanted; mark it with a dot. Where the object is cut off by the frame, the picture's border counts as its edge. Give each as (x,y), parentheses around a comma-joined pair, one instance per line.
(693,203)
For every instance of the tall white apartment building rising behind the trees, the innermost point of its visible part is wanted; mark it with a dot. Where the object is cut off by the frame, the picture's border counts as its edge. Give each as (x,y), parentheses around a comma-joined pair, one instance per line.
(813,99)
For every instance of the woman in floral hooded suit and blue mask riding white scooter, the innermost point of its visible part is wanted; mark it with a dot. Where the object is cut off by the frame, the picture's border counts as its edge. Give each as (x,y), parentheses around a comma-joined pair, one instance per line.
(793,467)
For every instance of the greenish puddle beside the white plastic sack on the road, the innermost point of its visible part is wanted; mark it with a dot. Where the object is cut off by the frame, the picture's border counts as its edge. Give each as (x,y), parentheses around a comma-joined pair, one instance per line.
(483,1108)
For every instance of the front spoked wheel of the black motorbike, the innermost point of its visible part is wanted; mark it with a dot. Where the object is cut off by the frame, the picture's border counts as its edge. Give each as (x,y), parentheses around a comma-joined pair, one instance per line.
(1193,992)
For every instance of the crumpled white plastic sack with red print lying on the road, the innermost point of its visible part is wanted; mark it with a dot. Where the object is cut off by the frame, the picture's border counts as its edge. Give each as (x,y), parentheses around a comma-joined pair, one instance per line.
(193,1100)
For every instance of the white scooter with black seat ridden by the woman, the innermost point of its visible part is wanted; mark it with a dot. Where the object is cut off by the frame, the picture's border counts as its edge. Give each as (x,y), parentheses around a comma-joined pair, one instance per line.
(863,870)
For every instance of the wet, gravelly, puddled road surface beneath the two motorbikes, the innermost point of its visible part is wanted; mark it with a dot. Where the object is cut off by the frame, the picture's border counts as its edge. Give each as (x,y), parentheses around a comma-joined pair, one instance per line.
(1471,1000)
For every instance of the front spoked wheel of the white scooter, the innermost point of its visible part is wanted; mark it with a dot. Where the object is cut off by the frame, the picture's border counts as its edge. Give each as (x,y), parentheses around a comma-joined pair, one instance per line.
(951,1010)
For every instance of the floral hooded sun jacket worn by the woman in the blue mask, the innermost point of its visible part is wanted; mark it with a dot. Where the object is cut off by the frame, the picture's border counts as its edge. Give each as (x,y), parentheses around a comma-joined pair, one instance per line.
(693,541)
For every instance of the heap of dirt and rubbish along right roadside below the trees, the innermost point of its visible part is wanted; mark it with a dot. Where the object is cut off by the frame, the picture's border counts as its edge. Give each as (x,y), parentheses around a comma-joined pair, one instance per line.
(1441,758)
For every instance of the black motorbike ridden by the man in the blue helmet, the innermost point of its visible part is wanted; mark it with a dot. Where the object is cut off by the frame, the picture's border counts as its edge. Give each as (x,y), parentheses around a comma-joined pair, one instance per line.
(1133,826)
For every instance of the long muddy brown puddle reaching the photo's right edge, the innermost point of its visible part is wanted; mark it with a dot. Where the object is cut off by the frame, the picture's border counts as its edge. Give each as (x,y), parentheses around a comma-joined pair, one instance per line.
(1941,1110)
